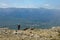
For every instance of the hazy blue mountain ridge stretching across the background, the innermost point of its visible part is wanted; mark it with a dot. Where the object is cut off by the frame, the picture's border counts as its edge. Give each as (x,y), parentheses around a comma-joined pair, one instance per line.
(30,16)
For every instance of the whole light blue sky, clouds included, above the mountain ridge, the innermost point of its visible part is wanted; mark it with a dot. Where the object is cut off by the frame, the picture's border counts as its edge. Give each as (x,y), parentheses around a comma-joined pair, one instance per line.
(50,4)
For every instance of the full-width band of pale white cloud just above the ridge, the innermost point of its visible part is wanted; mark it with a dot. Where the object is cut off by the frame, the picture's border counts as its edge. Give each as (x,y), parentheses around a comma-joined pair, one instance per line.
(48,6)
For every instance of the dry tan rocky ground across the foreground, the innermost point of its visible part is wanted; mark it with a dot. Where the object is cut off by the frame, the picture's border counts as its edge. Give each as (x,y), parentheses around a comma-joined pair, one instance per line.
(36,34)
